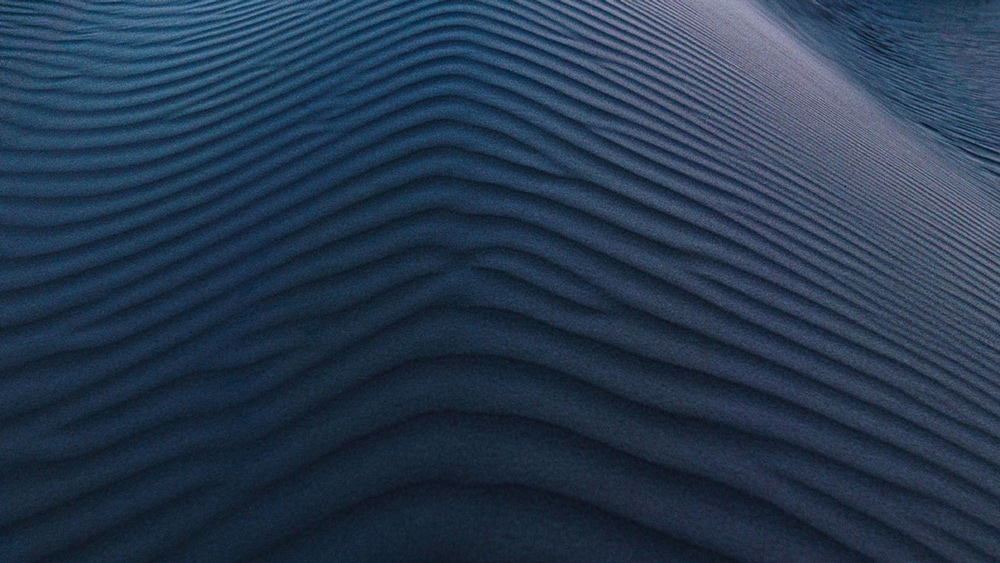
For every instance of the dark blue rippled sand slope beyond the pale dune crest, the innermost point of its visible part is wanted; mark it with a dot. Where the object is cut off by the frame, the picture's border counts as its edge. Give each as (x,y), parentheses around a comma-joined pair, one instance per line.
(936,64)
